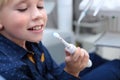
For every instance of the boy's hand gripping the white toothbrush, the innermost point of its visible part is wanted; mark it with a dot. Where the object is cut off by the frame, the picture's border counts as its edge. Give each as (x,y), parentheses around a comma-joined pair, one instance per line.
(76,62)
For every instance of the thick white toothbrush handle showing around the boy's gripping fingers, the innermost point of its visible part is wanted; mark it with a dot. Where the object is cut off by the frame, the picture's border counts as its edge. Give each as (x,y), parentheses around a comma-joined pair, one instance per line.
(71,48)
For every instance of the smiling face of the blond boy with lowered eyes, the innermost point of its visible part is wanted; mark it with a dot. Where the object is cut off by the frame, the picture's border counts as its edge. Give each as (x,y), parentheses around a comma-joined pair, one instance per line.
(23,20)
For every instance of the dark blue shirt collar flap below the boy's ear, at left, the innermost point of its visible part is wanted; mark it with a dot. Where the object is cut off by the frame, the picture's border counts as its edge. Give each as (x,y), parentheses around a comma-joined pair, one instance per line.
(10,49)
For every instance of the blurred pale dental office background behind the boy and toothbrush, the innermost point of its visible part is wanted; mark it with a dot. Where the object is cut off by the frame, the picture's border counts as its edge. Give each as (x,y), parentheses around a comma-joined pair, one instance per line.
(91,24)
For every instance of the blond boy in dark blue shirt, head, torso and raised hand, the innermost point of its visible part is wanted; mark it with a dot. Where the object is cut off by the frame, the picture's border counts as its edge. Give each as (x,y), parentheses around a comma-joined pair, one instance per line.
(22,55)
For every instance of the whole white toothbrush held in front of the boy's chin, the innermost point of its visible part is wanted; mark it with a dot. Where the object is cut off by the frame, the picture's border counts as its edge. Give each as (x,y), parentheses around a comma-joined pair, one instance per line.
(69,47)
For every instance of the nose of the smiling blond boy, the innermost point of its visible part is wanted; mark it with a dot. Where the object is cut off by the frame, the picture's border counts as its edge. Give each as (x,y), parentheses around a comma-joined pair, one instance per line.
(36,14)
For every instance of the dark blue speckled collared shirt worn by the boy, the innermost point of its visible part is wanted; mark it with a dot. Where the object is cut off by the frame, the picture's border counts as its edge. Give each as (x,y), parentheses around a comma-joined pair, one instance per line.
(15,65)
